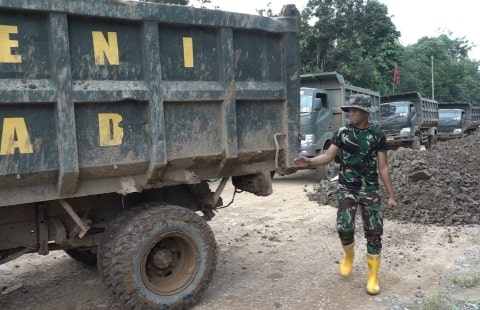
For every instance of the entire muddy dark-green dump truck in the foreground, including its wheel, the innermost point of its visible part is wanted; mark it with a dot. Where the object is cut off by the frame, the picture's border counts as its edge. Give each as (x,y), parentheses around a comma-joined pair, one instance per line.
(114,116)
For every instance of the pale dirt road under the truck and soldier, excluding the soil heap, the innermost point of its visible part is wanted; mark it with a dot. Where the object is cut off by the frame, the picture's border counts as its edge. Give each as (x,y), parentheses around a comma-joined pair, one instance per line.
(282,252)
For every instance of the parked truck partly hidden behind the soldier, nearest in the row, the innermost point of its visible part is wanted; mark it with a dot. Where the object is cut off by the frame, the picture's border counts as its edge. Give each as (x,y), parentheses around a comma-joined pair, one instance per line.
(321,96)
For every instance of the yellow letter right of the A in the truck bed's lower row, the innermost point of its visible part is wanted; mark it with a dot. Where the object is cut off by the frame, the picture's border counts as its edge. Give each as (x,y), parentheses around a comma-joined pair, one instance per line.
(109,129)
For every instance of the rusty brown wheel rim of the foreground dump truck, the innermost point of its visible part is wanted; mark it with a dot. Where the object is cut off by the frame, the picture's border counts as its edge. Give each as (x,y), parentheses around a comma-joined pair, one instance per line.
(170,264)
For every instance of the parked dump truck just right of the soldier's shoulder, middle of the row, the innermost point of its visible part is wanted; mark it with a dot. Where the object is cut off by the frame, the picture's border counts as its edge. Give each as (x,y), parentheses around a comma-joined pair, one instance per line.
(409,120)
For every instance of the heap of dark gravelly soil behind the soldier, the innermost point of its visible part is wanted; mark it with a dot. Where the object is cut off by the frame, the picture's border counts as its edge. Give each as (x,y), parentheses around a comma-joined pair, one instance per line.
(439,186)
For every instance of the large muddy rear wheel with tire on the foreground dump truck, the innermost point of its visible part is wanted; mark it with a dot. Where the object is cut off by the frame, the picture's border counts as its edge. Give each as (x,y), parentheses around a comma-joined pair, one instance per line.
(162,257)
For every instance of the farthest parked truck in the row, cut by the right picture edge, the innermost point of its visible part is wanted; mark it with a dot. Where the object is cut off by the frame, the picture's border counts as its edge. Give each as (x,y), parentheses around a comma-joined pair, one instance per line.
(457,119)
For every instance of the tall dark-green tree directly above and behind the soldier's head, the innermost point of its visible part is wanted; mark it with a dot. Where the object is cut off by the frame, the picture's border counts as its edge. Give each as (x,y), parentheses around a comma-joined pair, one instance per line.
(354,37)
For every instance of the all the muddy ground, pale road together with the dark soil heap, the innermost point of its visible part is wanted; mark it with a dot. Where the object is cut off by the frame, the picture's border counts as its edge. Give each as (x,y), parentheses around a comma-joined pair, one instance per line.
(282,251)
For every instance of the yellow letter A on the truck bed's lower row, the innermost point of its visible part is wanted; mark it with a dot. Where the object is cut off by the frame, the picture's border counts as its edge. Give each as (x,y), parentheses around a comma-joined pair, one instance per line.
(15,136)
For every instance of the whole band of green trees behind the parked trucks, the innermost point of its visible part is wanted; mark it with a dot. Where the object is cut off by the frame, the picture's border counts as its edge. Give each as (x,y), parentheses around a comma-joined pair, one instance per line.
(358,39)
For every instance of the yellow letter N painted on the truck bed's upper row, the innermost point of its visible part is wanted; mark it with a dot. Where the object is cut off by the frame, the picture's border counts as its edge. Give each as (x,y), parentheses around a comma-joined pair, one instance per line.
(103,48)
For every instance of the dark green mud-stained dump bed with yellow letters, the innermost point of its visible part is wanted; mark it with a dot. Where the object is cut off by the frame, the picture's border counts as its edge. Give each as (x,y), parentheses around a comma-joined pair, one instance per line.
(120,96)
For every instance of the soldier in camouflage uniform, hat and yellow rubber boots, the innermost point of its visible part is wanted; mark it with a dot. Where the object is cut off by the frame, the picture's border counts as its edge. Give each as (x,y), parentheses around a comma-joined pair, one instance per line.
(363,152)
